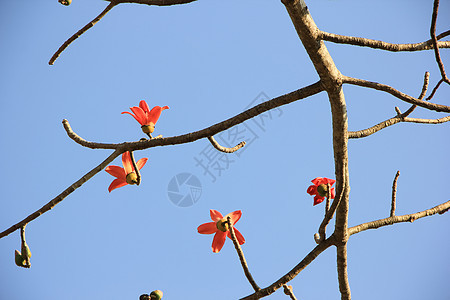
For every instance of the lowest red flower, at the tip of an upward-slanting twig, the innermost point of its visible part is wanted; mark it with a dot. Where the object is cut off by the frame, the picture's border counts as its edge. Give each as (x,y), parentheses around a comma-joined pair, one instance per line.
(220,228)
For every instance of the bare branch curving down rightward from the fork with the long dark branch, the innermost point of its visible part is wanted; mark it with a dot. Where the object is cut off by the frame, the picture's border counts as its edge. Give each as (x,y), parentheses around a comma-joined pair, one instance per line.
(395,93)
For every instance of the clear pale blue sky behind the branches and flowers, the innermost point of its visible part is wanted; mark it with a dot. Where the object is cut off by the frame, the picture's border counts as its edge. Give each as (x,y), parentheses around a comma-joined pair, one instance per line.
(208,61)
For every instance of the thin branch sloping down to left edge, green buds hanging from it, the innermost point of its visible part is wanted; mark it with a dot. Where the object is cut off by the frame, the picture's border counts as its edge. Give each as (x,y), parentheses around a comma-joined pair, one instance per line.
(63,195)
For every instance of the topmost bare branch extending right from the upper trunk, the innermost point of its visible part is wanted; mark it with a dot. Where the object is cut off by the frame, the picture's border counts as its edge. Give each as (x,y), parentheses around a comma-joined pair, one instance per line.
(363,42)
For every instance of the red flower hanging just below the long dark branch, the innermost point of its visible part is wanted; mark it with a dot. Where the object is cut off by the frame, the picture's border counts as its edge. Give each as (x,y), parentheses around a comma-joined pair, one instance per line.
(125,175)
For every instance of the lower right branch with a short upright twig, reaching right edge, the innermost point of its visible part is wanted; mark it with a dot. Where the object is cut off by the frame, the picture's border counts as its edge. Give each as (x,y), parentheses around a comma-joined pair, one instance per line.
(441,208)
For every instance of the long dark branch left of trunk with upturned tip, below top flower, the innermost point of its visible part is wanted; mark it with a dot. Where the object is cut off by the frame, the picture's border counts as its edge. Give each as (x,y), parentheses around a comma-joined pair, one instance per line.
(209,131)
